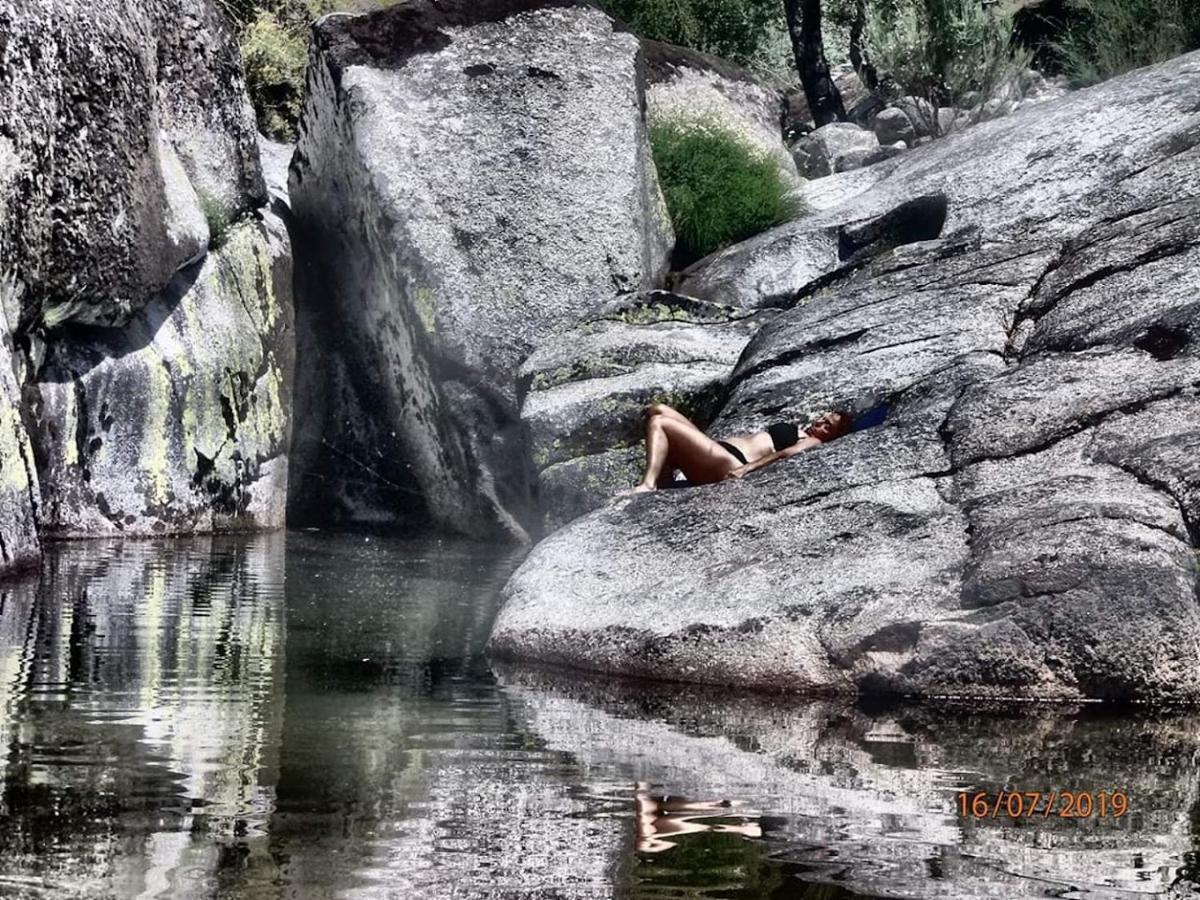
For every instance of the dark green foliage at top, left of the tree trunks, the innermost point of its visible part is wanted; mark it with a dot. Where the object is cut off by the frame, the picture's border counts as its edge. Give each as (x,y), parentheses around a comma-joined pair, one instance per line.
(734,29)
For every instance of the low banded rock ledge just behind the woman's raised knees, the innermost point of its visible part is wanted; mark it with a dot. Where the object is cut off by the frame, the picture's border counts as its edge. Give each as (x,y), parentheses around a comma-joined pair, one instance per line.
(586,391)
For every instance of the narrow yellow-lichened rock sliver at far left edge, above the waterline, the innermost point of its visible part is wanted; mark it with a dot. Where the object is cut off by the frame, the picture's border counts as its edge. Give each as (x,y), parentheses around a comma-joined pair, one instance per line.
(19,476)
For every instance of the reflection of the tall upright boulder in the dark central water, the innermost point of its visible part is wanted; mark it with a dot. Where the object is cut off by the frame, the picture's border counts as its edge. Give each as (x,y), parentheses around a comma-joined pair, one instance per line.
(433,794)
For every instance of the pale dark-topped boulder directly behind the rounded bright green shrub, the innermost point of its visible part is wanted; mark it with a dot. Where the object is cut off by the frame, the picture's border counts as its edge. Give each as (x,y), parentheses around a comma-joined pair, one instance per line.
(687,86)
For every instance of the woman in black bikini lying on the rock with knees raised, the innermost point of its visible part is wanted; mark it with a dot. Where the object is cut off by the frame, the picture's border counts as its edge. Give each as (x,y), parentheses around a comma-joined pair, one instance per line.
(673,443)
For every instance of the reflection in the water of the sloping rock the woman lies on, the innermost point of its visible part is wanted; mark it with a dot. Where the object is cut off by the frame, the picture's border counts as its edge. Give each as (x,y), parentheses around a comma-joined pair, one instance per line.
(869,801)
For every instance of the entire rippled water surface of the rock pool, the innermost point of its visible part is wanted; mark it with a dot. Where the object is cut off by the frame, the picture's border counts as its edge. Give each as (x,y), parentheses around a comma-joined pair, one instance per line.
(311,716)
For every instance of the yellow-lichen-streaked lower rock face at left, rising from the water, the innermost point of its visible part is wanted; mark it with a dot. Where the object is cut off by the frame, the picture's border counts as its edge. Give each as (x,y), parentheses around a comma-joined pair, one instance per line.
(179,422)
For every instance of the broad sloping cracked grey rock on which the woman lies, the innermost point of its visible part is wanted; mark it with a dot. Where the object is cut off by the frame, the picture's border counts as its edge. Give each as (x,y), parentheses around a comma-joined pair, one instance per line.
(1024,521)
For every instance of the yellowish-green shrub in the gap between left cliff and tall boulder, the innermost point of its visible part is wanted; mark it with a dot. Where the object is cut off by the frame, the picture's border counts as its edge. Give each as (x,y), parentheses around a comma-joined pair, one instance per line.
(275,59)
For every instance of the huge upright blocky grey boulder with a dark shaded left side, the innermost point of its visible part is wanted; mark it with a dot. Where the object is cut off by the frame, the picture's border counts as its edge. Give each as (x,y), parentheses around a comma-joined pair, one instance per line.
(471,181)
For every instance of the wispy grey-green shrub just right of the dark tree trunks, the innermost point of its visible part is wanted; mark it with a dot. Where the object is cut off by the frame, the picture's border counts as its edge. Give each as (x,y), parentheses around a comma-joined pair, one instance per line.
(944,50)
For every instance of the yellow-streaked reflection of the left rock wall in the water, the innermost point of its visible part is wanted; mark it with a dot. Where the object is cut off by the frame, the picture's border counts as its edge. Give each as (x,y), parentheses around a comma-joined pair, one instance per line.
(143,713)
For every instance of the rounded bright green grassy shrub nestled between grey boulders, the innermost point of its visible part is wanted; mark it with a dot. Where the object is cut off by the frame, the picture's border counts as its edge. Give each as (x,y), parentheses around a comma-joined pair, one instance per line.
(718,189)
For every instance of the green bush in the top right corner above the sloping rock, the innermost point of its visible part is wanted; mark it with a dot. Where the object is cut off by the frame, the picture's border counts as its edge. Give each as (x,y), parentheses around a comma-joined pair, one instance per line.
(1115,37)
